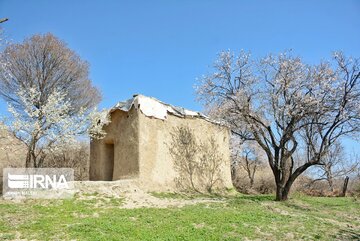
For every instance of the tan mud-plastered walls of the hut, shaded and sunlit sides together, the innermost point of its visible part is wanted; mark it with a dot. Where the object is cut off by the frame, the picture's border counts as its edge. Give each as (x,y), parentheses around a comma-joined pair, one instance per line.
(141,149)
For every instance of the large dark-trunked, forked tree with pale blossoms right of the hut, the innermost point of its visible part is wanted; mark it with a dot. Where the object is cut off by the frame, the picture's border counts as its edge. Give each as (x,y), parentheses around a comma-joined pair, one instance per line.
(276,100)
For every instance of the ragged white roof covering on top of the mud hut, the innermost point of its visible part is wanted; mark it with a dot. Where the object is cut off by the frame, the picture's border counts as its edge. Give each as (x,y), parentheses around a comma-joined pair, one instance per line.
(152,107)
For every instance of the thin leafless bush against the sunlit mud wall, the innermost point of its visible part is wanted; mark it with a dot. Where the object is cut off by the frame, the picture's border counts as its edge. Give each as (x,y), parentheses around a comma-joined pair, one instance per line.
(197,165)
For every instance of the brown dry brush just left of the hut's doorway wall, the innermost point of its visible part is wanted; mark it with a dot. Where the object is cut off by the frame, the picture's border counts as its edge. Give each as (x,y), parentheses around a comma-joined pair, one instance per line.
(76,157)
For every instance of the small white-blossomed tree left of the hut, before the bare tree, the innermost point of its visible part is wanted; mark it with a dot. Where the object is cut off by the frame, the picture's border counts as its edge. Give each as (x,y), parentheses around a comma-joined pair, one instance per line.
(51,127)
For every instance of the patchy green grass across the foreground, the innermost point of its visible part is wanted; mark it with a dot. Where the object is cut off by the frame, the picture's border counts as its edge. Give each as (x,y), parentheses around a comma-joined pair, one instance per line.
(236,218)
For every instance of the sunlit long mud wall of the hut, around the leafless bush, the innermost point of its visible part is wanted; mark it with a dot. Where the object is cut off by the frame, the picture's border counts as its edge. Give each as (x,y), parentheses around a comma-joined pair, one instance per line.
(156,163)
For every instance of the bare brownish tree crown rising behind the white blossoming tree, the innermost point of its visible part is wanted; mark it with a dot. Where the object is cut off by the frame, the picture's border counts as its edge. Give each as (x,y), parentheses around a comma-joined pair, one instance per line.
(45,63)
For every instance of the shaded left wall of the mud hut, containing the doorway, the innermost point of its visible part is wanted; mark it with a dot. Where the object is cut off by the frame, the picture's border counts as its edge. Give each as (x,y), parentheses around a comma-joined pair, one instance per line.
(117,155)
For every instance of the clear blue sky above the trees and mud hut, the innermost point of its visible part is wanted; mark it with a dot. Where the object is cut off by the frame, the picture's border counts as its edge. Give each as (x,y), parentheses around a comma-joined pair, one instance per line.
(159,48)
